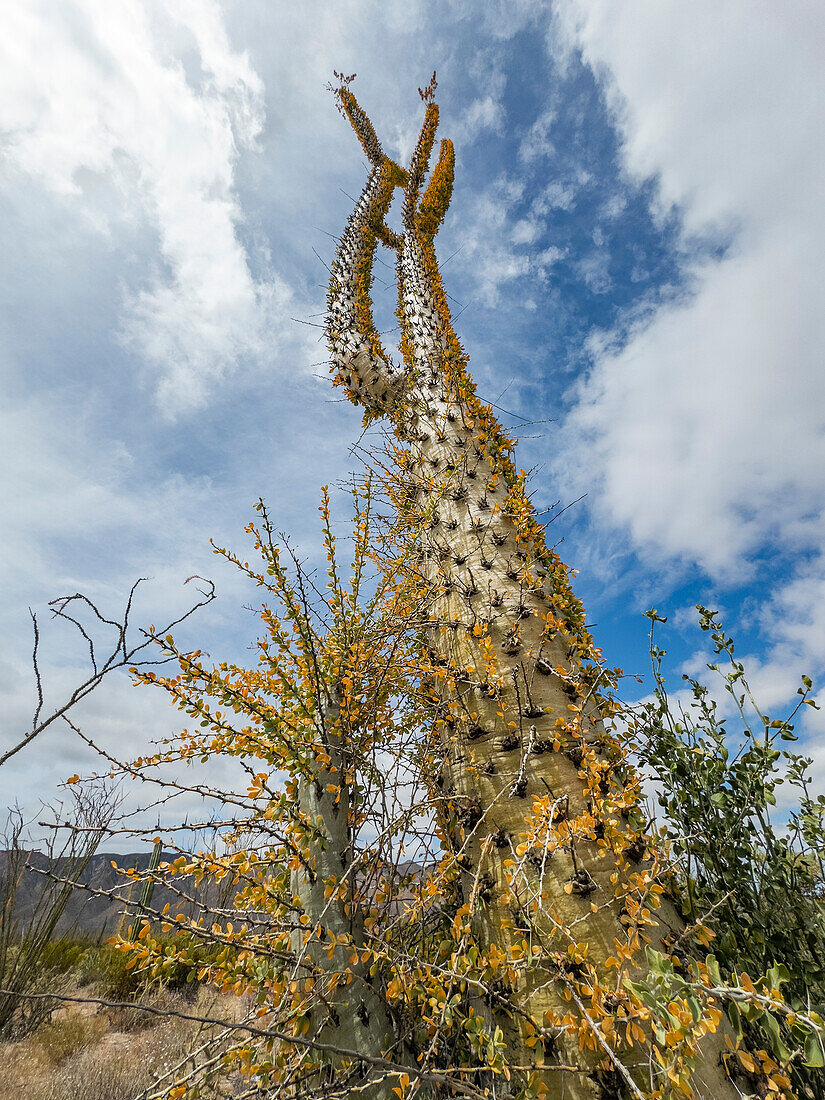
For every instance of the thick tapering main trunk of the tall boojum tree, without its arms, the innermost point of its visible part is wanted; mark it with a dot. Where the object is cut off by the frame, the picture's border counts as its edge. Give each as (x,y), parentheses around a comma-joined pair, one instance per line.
(523,736)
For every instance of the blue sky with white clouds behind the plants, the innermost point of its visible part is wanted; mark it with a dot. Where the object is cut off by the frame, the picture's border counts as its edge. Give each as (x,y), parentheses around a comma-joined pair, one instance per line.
(635,254)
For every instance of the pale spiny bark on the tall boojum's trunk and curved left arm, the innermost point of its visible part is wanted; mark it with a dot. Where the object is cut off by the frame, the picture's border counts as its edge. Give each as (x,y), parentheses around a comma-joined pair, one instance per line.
(498,752)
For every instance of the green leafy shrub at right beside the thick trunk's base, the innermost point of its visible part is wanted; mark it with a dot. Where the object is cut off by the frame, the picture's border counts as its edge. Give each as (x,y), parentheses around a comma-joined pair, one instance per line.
(751,875)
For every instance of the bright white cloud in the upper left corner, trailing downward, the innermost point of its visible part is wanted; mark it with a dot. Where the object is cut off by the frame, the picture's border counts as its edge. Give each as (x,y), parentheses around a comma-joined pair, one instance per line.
(156,100)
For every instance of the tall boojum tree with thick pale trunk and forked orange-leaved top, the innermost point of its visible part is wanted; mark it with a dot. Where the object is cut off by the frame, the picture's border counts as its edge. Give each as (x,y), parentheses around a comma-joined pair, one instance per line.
(562,887)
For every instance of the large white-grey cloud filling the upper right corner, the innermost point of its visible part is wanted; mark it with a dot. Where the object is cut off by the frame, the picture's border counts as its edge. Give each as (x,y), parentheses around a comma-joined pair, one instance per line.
(707,432)
